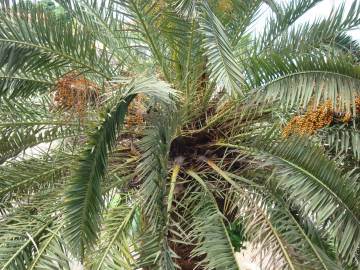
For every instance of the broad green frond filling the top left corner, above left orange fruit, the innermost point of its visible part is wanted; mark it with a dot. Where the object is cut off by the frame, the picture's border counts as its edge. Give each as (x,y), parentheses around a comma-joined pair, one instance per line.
(46,43)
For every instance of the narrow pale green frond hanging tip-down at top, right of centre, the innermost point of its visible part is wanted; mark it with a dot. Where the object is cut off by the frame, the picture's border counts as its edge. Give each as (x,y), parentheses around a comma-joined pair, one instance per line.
(221,62)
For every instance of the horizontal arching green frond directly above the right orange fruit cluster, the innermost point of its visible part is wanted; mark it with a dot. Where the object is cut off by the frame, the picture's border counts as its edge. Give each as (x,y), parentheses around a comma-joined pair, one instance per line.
(297,81)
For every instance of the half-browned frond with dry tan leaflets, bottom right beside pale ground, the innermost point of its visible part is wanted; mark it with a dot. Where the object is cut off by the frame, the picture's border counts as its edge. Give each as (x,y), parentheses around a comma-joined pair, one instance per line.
(273,229)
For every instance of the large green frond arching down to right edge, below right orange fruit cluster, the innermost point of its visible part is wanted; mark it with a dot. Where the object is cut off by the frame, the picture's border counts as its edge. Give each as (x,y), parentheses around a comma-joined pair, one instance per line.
(302,170)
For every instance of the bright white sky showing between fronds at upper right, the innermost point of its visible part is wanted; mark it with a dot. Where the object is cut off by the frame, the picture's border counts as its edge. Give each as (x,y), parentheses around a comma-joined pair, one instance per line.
(321,10)
